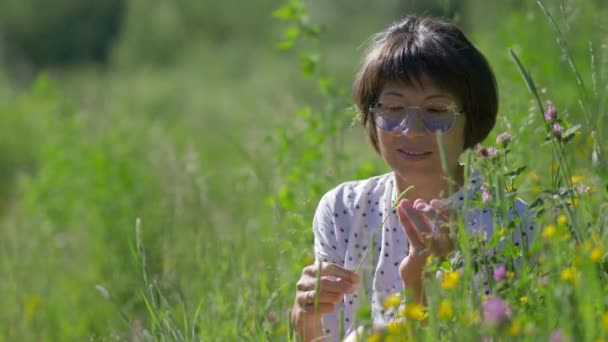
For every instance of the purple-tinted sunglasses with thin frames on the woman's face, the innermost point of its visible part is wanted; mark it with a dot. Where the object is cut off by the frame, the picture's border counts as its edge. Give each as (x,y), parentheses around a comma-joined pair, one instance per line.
(435,117)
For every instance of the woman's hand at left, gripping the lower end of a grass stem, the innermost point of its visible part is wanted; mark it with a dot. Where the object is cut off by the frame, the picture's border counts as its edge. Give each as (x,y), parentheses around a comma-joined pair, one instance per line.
(335,281)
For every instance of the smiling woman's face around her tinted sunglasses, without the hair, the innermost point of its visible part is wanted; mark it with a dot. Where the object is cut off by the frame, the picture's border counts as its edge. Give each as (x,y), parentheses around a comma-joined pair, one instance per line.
(412,151)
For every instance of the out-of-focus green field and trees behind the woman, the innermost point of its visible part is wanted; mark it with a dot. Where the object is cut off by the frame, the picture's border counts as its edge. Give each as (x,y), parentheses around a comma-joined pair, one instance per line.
(183,113)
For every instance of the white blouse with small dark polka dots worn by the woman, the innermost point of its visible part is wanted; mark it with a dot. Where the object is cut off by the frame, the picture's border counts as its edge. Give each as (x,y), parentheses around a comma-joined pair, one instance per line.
(356,227)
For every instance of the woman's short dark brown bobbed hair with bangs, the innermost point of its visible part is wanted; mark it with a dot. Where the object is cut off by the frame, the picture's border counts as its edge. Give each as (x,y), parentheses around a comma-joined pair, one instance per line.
(418,46)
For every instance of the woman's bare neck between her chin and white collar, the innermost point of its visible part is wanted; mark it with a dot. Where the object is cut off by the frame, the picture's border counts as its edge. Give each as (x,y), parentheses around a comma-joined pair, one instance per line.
(427,190)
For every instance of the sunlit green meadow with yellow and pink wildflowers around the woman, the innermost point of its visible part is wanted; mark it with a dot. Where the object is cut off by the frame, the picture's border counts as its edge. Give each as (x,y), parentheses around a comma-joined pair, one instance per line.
(173,201)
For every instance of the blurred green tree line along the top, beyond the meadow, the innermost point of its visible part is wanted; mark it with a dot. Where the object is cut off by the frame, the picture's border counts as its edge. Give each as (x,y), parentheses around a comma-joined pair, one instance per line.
(66,32)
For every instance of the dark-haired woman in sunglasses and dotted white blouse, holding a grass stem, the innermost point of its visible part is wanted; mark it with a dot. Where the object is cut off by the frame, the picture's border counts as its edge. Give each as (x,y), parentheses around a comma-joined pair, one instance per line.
(419,77)
